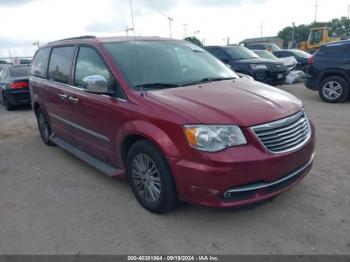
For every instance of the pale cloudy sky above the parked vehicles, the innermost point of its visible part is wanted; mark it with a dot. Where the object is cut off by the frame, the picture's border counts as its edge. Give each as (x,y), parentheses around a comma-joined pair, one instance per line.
(24,22)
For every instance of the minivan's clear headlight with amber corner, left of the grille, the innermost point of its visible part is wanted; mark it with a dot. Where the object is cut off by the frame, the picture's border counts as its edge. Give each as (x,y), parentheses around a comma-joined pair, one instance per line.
(214,138)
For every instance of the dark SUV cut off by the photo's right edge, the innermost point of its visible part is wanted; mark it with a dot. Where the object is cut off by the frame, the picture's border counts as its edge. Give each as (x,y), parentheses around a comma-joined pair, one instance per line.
(329,72)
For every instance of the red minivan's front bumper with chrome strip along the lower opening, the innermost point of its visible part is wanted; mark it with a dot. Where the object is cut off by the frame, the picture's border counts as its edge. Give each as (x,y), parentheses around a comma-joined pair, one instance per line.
(252,175)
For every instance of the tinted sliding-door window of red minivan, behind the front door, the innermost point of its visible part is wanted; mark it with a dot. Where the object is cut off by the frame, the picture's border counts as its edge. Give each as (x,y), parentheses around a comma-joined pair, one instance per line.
(61,64)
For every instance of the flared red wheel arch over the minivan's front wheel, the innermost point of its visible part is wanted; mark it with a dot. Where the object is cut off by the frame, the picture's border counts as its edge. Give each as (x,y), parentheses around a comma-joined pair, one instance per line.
(150,132)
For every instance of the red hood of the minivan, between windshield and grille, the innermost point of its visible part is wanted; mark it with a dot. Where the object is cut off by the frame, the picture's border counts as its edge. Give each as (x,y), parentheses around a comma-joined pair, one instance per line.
(242,102)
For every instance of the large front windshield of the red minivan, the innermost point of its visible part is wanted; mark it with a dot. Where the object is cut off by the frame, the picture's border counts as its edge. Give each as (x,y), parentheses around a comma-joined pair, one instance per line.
(166,63)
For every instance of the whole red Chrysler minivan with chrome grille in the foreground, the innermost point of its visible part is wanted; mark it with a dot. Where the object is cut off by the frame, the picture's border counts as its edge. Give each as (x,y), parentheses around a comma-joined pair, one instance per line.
(180,124)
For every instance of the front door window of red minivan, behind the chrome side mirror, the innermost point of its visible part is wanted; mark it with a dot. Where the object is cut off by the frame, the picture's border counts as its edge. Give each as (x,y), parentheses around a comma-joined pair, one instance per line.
(90,63)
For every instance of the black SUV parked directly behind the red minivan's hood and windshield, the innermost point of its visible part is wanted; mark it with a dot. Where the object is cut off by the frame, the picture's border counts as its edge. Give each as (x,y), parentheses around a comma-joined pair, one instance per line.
(243,60)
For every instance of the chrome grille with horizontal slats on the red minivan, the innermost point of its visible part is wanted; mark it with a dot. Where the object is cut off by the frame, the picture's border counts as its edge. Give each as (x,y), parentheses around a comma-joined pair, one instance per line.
(286,134)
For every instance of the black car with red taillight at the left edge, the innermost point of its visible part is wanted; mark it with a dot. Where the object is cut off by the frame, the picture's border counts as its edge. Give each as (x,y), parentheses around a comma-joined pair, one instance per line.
(14,88)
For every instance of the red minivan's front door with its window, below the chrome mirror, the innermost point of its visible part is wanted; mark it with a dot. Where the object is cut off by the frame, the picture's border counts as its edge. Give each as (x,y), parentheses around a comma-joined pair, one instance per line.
(100,115)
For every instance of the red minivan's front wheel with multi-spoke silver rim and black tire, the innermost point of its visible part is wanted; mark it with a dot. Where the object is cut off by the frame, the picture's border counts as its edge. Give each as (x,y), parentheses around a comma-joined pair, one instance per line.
(148,169)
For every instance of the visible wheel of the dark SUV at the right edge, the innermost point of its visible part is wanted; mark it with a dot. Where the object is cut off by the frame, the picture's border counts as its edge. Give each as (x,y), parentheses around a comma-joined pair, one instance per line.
(334,89)
